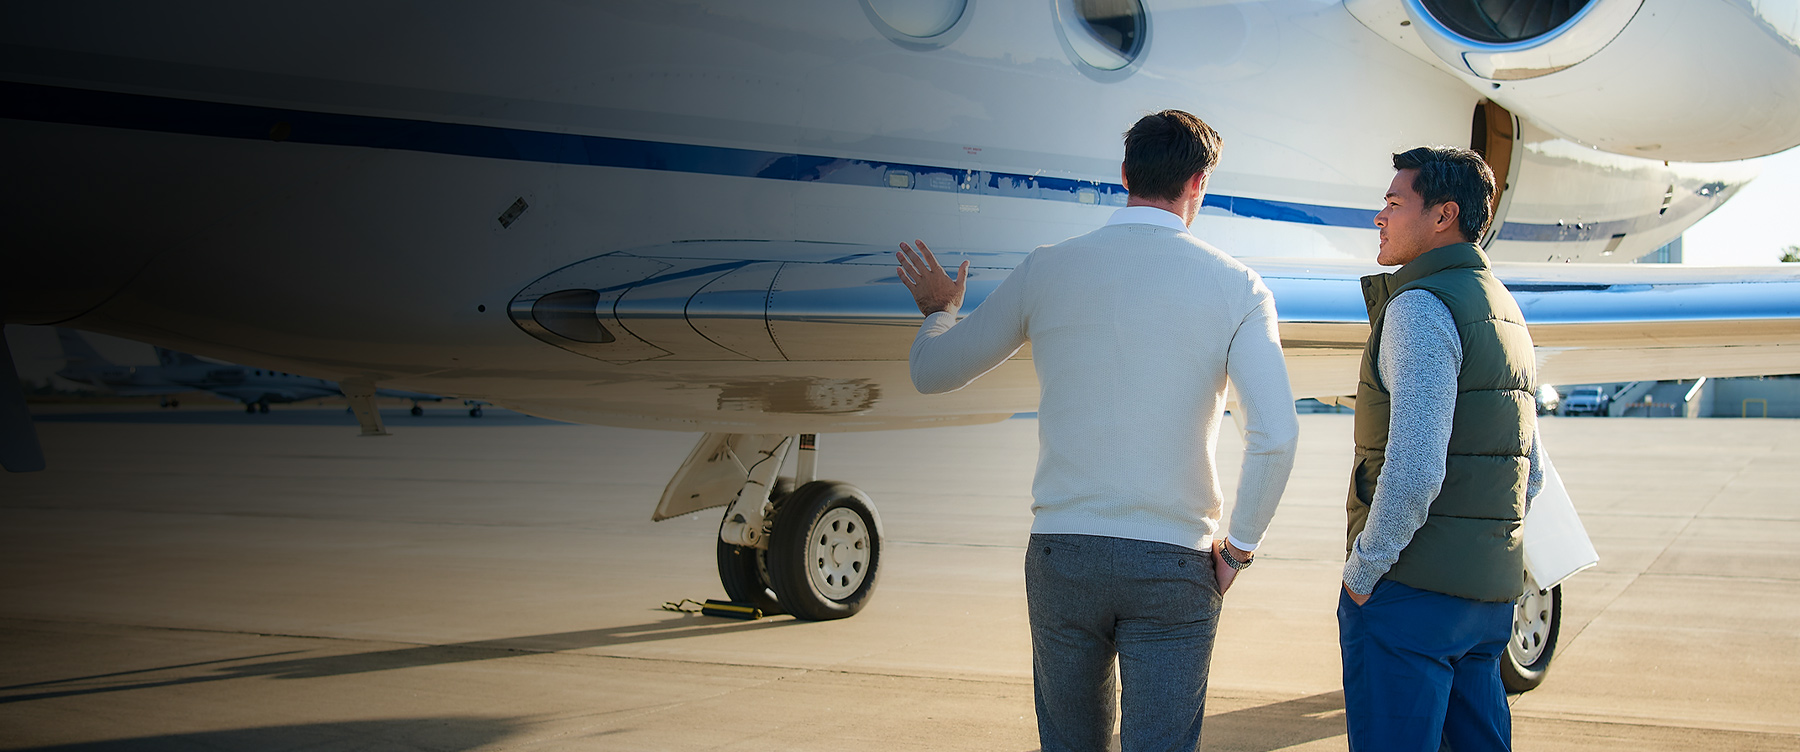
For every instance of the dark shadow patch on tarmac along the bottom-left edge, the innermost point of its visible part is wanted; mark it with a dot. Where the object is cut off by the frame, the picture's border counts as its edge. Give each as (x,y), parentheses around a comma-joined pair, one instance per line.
(397,735)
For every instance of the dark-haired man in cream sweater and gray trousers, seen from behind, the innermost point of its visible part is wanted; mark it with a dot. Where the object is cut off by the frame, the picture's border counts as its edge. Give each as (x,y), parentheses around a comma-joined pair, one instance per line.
(1135,330)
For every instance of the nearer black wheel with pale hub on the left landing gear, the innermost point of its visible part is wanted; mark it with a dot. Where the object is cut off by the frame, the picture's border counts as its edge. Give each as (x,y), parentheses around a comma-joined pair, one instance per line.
(825,551)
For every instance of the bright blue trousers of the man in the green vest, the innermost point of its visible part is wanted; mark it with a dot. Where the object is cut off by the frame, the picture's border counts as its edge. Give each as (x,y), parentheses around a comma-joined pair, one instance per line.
(1423,668)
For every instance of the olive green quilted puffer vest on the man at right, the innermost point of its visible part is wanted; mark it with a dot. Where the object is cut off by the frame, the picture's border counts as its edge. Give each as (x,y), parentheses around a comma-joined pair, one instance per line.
(1471,544)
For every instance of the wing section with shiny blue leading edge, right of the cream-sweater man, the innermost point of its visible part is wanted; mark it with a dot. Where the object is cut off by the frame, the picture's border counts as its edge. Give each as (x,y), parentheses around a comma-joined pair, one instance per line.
(1590,323)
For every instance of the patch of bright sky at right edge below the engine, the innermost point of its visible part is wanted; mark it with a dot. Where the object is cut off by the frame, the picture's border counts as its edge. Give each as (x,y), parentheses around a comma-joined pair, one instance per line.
(1754,226)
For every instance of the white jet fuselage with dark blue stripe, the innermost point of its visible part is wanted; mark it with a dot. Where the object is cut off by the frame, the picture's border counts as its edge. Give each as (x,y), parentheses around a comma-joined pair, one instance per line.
(318,190)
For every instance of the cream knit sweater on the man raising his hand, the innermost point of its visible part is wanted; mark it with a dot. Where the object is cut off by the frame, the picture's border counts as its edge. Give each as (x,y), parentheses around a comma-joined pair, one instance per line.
(1135,332)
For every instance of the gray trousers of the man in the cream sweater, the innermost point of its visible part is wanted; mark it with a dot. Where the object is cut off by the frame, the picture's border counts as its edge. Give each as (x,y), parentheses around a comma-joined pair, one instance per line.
(1155,607)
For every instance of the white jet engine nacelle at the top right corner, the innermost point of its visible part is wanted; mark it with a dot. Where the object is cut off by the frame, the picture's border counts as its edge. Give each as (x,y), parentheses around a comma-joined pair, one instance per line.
(1668,80)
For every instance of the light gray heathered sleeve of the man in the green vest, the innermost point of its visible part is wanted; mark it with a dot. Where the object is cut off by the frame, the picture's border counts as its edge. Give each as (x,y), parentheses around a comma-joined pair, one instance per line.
(1421,357)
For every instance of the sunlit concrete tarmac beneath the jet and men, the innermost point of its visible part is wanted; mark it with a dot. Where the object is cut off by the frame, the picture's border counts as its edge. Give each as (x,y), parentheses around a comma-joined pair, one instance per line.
(463,586)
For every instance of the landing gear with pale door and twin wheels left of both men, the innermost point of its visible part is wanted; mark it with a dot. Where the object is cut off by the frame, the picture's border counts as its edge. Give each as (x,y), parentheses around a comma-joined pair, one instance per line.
(787,546)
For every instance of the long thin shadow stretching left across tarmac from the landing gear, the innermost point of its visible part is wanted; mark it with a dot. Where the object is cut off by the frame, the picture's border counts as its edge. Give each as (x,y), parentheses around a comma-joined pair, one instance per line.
(408,658)
